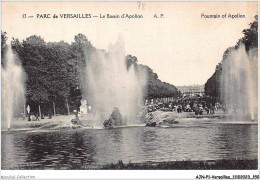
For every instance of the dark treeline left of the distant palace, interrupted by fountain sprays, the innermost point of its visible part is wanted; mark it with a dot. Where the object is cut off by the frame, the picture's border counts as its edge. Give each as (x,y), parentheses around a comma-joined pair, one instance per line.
(56,73)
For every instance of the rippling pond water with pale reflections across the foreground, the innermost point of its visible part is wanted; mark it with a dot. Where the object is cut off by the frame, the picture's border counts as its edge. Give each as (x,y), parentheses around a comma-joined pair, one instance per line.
(83,148)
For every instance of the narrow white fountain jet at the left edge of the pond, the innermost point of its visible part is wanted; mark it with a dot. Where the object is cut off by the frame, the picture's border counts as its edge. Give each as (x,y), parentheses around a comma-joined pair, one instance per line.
(12,88)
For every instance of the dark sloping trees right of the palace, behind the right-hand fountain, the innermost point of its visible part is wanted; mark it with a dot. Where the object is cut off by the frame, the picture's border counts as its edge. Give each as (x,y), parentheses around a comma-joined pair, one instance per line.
(250,39)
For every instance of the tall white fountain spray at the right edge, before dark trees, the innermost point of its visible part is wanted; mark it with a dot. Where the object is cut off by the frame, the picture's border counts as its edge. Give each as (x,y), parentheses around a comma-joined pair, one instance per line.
(239,81)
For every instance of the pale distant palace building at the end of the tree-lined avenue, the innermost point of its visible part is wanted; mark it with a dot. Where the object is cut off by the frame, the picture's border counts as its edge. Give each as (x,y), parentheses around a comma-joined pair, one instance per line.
(192,89)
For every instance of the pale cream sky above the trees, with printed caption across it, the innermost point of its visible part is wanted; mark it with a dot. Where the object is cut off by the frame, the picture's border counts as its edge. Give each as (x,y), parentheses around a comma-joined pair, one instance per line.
(183,48)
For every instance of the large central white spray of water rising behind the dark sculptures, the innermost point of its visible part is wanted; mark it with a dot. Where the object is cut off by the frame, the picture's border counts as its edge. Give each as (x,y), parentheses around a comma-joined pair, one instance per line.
(111,84)
